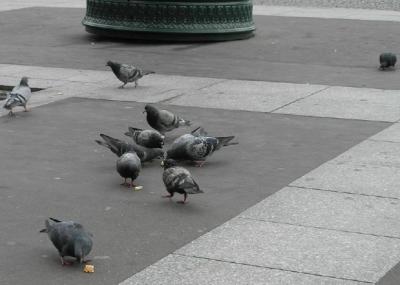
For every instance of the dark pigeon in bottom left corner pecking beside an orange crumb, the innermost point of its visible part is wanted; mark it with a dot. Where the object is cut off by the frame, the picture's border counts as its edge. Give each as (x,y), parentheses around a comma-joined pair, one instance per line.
(70,239)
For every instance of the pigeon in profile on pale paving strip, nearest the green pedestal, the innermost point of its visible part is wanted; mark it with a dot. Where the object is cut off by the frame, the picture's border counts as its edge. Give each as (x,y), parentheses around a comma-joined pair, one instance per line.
(127,73)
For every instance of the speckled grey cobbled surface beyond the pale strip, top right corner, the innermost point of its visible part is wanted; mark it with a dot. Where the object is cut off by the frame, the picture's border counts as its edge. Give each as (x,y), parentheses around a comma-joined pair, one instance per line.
(361,4)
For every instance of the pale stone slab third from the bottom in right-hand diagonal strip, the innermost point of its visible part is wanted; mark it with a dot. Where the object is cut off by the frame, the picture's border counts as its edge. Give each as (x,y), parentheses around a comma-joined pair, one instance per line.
(330,210)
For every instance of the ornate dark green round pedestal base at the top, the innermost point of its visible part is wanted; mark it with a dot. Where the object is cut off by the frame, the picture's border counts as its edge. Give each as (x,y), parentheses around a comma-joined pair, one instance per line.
(184,20)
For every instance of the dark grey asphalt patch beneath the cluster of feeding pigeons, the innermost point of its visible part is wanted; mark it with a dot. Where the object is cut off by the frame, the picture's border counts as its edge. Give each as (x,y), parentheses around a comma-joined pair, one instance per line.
(53,149)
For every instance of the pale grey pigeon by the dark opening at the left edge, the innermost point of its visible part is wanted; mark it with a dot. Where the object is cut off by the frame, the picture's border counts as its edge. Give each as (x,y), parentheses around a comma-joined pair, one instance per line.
(18,96)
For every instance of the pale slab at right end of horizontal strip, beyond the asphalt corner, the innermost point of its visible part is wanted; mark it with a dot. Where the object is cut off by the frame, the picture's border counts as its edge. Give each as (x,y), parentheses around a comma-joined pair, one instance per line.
(349,103)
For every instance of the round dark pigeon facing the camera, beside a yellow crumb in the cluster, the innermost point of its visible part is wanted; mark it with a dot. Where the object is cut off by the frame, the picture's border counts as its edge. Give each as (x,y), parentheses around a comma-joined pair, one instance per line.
(129,166)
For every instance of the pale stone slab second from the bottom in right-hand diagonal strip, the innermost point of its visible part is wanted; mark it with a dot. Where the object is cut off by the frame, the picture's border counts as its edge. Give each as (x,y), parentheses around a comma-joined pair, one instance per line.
(323,252)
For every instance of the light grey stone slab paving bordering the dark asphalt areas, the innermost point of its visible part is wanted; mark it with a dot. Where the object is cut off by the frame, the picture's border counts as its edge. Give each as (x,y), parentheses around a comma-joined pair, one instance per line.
(338,224)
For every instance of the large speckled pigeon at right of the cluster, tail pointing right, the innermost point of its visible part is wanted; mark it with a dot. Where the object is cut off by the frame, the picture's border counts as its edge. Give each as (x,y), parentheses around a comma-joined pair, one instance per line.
(197,146)
